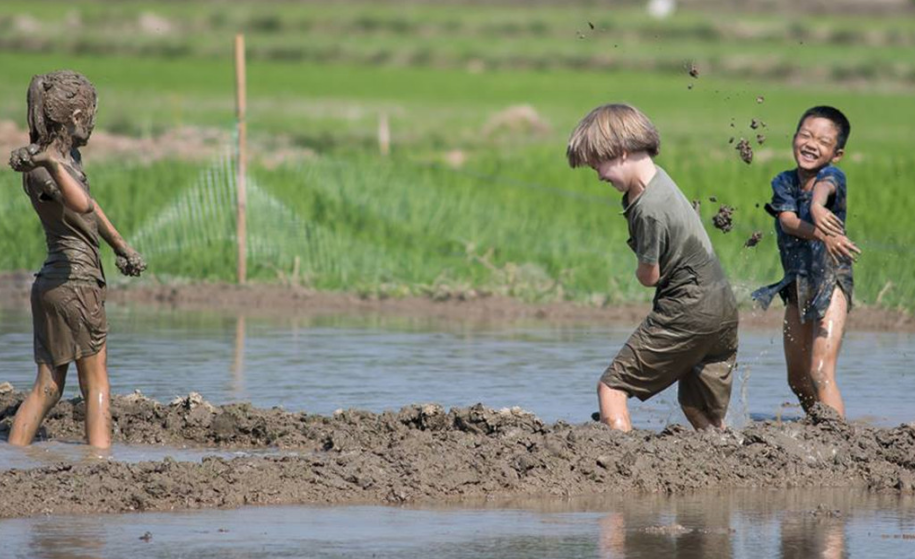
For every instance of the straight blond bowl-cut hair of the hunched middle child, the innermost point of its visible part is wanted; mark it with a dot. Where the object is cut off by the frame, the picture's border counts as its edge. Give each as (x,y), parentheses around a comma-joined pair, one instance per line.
(608,131)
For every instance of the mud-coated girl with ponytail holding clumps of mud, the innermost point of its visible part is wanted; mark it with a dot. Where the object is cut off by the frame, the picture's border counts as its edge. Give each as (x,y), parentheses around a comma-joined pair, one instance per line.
(68,295)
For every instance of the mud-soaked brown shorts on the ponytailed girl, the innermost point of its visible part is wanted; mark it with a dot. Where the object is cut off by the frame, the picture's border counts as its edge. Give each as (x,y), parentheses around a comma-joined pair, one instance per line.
(69,320)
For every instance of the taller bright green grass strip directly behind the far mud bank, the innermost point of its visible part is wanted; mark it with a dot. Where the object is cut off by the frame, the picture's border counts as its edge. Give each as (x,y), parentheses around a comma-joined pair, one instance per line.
(398,227)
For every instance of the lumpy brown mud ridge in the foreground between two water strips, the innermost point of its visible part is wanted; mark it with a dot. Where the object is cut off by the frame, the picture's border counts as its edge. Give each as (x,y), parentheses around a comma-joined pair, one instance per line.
(423,453)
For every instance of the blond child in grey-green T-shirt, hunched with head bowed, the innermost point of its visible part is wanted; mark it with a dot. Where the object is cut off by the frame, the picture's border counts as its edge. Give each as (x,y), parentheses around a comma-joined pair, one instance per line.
(690,335)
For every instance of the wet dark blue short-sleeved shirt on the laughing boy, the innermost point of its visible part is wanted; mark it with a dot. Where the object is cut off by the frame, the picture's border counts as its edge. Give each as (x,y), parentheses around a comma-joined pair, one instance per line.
(807,265)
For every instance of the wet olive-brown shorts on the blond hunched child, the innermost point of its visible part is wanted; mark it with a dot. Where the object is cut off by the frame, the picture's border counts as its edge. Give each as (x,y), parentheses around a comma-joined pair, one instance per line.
(655,357)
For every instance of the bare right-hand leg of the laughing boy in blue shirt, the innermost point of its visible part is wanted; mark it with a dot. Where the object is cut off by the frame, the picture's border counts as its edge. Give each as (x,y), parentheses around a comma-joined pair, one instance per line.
(825,352)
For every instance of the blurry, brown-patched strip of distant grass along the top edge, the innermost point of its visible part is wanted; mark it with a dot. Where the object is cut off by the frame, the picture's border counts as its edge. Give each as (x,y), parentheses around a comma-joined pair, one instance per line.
(451,35)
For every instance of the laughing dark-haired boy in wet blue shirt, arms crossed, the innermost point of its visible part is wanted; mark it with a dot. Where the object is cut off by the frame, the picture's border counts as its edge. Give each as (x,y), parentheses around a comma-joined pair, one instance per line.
(809,204)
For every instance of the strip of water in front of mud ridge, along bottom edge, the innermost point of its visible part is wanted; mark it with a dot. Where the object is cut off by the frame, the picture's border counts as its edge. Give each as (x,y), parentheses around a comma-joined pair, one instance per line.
(823,524)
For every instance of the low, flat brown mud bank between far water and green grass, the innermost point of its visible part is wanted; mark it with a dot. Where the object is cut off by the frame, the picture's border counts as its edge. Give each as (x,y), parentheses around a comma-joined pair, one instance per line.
(265,299)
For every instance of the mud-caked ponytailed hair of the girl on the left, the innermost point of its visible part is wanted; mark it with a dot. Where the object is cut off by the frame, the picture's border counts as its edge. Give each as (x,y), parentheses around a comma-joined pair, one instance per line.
(53,99)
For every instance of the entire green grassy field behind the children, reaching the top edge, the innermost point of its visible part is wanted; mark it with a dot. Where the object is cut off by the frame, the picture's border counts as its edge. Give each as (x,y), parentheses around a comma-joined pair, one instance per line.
(511,217)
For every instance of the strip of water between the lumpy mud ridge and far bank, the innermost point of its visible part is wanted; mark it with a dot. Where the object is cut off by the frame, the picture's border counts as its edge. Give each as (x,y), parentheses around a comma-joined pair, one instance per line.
(322,365)
